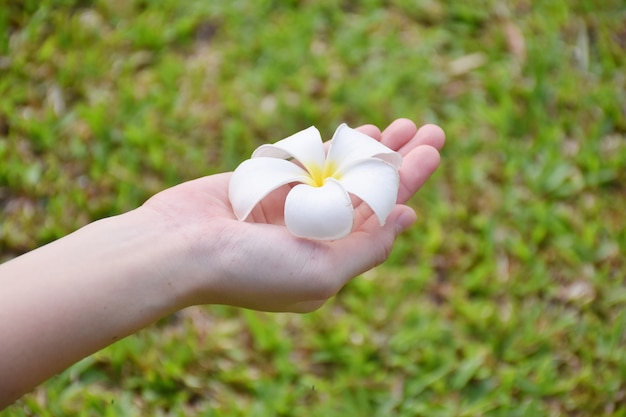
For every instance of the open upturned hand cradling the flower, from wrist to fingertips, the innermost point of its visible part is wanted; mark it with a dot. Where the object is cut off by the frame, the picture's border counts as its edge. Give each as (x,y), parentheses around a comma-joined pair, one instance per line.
(258,264)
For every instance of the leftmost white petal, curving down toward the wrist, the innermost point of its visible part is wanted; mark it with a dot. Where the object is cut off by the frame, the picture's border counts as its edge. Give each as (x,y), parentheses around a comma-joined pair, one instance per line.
(255,178)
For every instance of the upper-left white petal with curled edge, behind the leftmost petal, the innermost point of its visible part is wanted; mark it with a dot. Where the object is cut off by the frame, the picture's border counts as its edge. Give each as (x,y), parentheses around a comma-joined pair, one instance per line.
(305,146)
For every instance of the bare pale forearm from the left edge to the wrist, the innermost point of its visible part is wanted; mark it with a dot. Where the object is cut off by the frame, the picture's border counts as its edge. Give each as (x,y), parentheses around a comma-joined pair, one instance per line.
(79,294)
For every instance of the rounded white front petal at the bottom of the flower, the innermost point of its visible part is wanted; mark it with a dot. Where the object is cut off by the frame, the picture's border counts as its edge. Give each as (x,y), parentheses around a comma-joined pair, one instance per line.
(323,213)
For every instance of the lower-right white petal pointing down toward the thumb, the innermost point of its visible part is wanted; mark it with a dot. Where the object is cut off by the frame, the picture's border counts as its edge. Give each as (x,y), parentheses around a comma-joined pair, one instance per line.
(375,182)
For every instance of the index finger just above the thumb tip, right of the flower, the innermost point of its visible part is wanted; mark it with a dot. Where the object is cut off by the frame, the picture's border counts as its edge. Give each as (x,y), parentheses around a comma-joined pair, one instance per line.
(417,166)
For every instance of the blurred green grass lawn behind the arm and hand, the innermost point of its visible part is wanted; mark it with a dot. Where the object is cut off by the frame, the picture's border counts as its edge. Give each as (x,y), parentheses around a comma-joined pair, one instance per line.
(508,298)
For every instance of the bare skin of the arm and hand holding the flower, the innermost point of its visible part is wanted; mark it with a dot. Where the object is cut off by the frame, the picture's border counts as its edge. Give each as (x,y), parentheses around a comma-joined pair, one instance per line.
(184,247)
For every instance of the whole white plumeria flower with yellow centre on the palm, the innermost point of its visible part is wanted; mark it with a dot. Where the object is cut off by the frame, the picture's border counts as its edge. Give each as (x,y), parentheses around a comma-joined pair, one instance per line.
(319,206)
